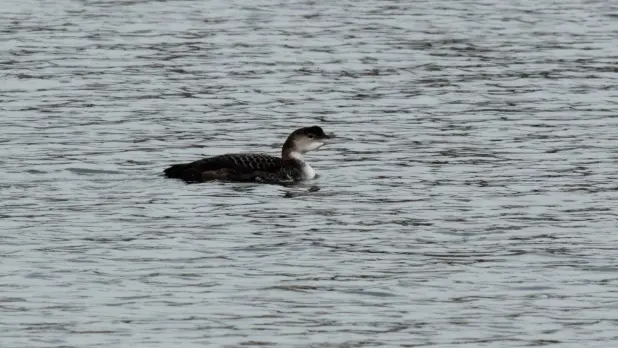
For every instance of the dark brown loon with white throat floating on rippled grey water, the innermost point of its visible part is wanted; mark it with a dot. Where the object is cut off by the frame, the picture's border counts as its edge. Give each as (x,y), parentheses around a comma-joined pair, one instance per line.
(256,167)
